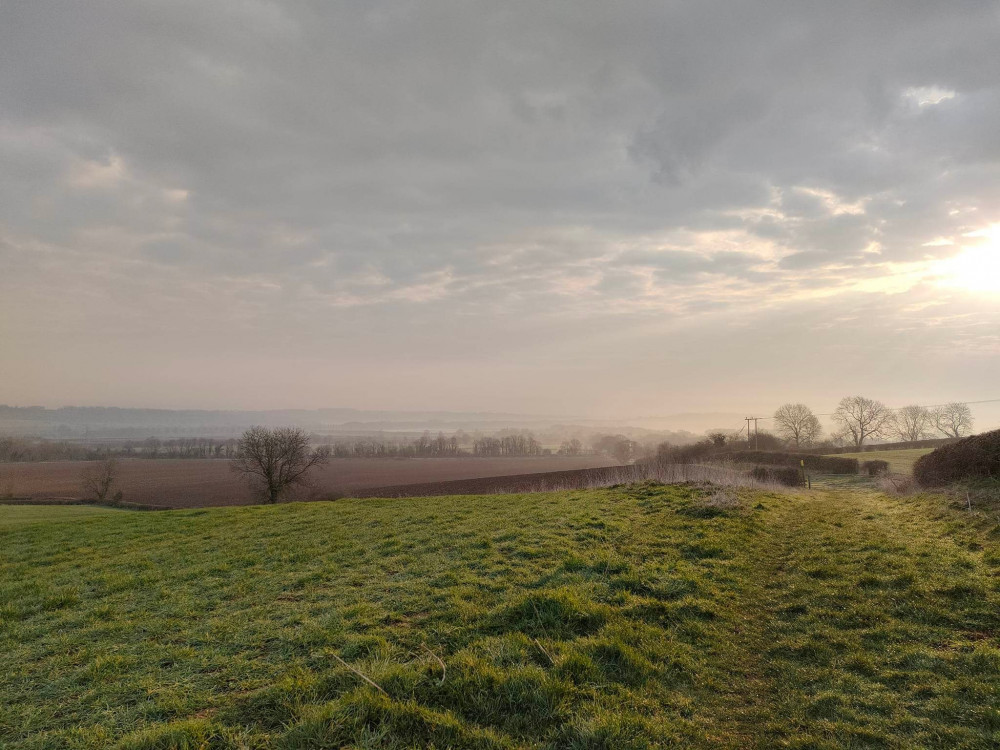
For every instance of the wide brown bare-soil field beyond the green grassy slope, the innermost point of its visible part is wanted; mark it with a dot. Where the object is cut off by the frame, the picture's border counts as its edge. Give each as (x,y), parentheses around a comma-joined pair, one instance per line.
(194,483)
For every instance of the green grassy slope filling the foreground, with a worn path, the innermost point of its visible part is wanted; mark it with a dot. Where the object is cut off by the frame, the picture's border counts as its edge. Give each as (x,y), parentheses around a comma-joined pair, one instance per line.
(603,619)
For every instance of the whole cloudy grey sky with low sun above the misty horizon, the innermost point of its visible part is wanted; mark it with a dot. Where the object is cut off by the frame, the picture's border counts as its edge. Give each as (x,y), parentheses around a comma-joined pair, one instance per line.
(587,208)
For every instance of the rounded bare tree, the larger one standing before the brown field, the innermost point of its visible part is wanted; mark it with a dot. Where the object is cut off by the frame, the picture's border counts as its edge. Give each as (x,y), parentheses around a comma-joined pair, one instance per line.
(273,460)
